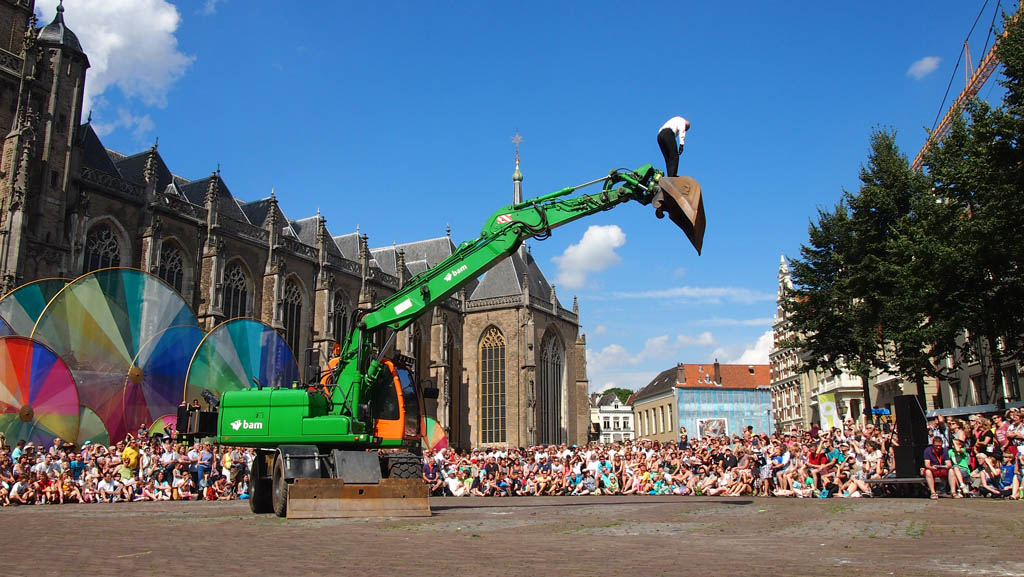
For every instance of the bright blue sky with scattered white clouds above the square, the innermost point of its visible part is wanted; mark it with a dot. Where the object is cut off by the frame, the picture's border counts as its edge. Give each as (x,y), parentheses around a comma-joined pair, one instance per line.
(397,117)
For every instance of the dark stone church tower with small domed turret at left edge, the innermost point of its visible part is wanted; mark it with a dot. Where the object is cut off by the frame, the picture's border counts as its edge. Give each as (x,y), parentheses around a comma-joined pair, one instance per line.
(37,193)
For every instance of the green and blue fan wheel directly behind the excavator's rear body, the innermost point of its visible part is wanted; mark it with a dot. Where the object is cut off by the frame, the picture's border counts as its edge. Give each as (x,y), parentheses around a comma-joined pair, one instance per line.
(234,354)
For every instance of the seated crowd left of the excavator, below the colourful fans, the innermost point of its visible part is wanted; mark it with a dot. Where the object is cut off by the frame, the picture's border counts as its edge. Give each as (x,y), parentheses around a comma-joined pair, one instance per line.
(139,469)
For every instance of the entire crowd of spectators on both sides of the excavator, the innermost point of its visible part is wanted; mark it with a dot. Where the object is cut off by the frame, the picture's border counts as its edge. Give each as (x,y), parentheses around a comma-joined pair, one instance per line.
(977,457)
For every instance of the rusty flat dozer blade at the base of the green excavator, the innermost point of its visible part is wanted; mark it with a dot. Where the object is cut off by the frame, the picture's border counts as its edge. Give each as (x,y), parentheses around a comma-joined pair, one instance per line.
(328,499)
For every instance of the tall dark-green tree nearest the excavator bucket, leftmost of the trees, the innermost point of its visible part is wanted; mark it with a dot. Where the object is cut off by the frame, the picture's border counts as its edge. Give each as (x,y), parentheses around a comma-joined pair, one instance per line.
(846,282)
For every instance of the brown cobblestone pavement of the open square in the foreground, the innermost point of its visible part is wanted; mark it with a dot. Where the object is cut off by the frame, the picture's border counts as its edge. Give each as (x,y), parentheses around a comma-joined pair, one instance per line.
(603,537)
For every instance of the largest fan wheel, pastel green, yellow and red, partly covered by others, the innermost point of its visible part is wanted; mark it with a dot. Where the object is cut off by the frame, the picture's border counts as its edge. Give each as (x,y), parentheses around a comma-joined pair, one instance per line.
(99,324)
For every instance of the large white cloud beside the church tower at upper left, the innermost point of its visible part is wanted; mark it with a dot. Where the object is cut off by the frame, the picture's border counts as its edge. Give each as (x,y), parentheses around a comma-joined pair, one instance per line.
(132,46)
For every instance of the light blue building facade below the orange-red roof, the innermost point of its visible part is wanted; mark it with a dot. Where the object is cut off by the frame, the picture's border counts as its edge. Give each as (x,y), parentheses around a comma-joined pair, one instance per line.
(717,411)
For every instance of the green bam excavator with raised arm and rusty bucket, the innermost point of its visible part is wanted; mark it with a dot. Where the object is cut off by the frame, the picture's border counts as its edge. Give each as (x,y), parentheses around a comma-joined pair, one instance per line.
(351,447)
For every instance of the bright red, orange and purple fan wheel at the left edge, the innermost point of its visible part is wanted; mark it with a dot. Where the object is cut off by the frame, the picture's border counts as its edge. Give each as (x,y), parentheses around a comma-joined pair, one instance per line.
(38,397)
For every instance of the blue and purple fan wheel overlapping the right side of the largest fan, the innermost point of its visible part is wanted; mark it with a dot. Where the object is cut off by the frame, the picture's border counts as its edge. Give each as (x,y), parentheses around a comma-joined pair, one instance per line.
(157,379)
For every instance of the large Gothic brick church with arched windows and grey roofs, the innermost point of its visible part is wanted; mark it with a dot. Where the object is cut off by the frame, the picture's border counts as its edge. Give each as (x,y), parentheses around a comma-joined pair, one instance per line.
(509,359)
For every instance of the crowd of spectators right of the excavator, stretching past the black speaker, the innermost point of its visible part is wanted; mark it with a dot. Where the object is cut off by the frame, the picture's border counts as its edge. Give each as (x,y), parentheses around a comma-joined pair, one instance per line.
(848,462)
